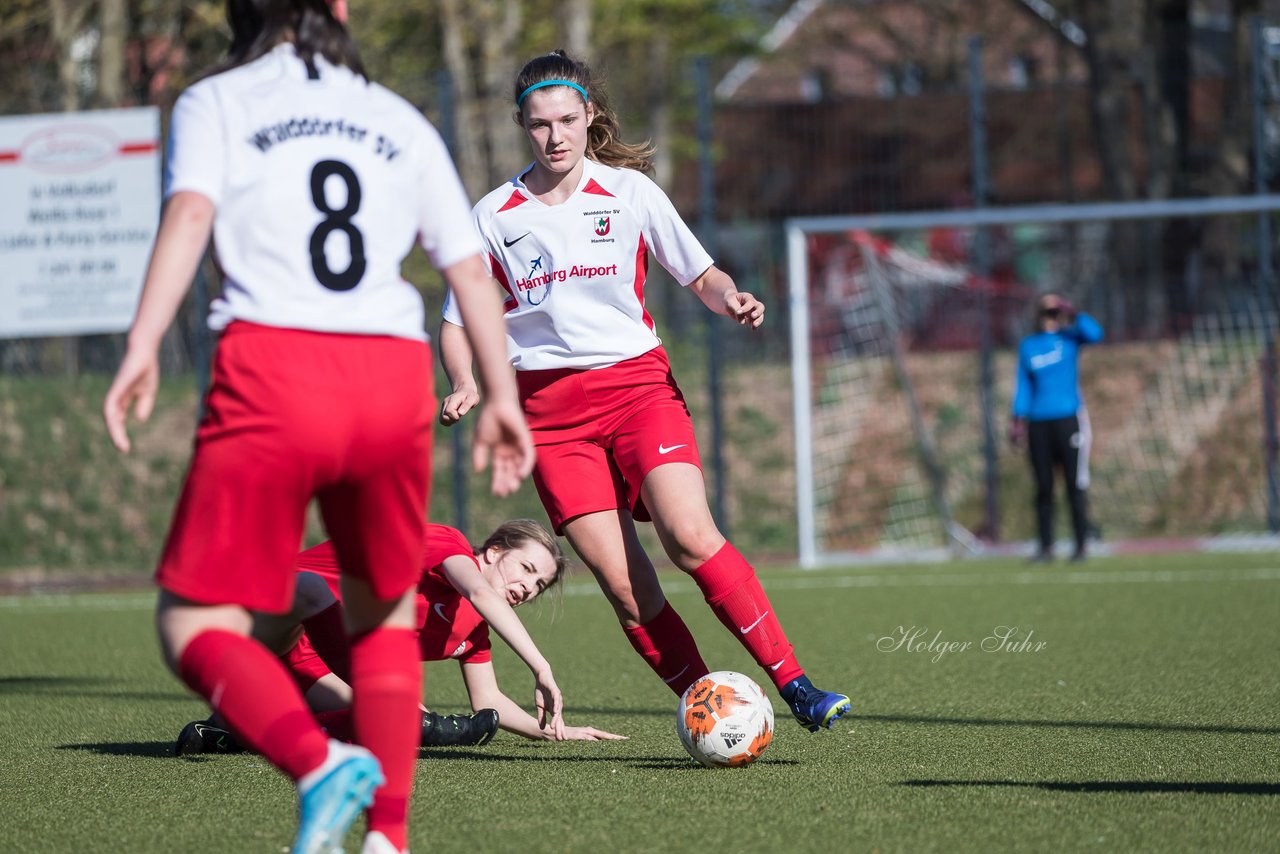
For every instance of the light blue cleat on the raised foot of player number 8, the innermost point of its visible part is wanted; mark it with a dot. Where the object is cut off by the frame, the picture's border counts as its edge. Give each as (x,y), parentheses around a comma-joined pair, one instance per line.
(330,805)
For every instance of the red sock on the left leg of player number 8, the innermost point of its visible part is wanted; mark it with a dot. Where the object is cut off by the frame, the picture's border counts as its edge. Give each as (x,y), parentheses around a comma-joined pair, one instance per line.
(249,688)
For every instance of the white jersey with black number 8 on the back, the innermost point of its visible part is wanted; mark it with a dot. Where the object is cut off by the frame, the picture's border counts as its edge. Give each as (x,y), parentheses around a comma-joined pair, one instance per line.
(321,186)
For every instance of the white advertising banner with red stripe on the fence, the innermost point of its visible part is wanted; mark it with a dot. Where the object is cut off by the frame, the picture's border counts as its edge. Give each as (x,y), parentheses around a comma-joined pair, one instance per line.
(80,203)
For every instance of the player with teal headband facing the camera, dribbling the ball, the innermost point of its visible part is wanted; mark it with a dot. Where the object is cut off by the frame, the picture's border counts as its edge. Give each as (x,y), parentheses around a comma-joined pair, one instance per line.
(569,240)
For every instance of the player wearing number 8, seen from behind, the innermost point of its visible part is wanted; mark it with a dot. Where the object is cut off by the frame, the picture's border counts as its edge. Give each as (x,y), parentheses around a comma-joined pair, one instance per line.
(314,184)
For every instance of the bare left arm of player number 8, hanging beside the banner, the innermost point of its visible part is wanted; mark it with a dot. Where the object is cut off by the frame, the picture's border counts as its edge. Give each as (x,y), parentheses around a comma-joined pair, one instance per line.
(185,229)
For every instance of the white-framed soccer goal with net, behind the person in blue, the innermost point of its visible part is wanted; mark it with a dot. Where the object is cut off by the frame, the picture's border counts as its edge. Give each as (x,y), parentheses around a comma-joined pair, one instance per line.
(893,424)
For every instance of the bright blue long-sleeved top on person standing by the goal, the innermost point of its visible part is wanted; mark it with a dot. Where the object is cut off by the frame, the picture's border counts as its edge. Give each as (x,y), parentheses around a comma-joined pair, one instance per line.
(1049,386)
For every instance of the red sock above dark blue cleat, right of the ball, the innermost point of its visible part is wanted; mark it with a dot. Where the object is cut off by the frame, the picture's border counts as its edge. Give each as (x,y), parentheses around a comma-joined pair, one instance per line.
(735,595)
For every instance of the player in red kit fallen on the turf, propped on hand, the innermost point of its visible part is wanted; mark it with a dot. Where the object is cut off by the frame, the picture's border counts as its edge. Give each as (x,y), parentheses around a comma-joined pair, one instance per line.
(464,591)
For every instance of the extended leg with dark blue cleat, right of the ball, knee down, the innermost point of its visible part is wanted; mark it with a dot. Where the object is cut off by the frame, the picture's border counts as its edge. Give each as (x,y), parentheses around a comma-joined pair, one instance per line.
(676,497)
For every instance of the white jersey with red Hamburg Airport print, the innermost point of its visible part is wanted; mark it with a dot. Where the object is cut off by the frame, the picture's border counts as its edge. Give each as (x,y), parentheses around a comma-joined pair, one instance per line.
(575,273)
